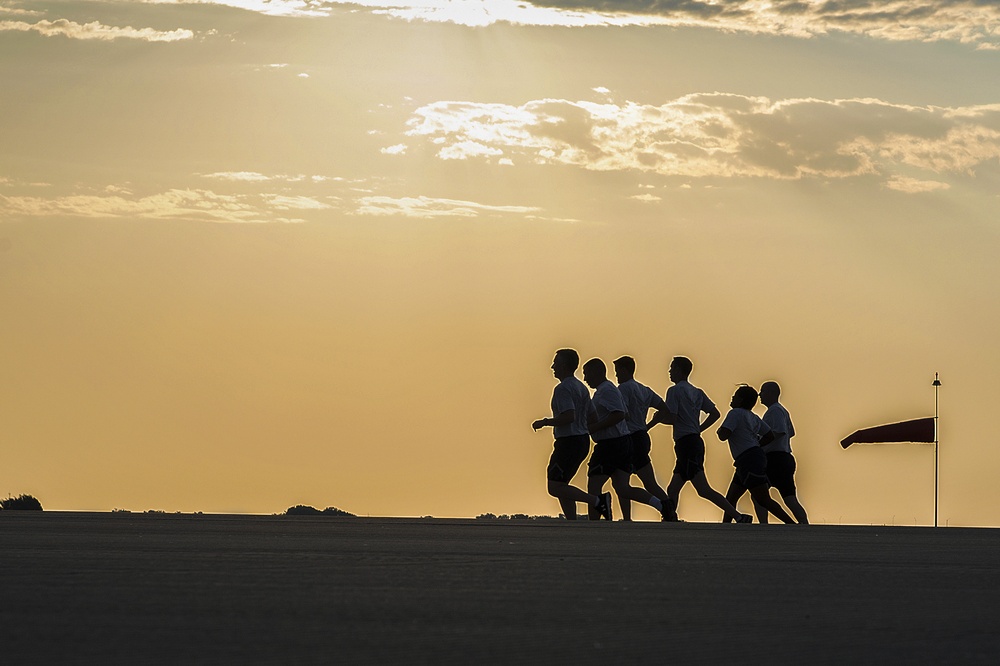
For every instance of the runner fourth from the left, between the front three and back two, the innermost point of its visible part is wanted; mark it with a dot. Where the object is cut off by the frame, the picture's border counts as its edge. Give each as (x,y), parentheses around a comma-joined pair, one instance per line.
(685,404)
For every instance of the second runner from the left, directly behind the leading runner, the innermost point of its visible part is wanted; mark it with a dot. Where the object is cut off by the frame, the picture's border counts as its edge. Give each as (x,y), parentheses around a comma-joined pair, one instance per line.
(612,456)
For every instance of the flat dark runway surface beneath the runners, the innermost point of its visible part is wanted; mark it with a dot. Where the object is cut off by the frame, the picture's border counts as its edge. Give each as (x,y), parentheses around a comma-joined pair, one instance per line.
(146,589)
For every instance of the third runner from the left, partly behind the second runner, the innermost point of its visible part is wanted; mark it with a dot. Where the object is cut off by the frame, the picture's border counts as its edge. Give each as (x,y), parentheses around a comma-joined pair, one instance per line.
(639,399)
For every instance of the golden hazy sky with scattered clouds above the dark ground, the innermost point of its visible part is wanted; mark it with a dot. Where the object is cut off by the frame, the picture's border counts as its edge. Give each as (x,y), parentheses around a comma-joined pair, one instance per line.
(255,254)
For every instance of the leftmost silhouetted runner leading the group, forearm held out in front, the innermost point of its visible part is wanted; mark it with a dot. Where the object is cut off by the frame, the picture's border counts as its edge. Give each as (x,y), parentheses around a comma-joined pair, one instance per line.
(570,407)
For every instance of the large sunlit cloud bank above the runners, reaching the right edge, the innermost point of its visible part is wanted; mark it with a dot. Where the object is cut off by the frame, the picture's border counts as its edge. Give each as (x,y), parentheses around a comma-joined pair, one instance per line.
(718,135)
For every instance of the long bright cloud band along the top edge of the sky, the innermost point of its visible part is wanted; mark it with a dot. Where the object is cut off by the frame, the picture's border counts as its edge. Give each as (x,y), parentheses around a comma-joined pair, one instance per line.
(966,21)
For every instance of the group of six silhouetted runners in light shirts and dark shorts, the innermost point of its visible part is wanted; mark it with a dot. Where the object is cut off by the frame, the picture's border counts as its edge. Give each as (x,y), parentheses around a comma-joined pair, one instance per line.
(615,417)
